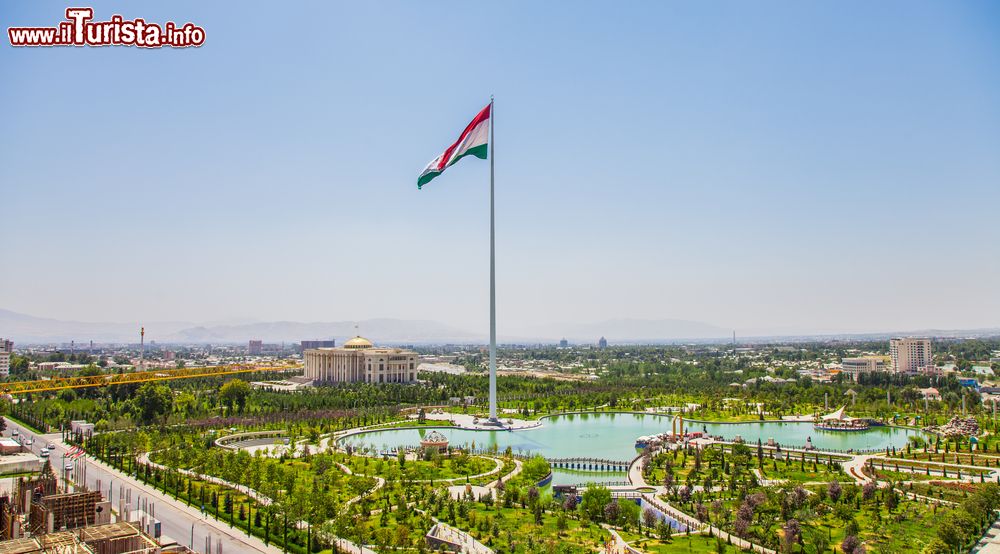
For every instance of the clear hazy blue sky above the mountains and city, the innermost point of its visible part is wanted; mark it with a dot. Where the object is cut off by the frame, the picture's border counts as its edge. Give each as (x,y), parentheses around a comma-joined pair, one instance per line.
(758,165)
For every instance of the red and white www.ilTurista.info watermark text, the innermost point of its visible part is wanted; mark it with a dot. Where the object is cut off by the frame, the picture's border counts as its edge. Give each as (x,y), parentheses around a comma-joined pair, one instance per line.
(79,29)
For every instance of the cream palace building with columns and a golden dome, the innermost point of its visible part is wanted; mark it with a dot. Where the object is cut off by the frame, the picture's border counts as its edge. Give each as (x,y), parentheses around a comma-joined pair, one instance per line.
(359,361)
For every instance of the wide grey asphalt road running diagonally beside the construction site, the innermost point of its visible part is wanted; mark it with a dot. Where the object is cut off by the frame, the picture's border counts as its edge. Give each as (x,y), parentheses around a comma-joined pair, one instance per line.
(184,524)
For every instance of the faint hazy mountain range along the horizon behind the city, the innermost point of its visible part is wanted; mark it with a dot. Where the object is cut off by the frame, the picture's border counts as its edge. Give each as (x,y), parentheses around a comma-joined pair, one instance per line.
(26,329)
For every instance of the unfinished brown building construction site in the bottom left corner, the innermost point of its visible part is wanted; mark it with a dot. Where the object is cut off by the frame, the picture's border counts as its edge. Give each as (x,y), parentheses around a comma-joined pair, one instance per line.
(42,517)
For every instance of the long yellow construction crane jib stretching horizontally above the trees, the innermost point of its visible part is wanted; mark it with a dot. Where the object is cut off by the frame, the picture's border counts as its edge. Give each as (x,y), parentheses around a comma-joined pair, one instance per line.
(45,385)
